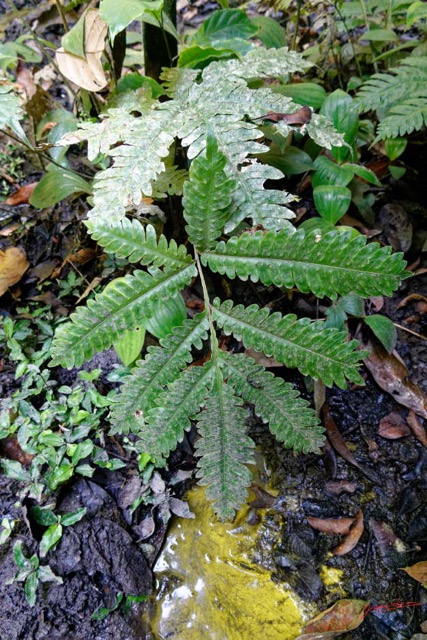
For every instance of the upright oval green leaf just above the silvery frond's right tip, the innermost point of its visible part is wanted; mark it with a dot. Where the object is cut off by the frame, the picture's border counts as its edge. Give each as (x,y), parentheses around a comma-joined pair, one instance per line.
(340,109)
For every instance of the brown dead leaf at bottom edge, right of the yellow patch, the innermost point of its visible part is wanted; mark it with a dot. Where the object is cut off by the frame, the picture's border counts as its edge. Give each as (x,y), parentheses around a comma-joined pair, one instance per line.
(344,615)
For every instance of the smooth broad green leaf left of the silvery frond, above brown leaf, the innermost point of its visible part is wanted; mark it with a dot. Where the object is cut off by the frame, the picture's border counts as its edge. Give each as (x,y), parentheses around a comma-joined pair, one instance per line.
(56,185)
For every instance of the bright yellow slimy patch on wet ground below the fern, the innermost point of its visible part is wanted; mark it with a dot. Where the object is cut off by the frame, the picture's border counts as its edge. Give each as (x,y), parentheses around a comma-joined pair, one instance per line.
(218,593)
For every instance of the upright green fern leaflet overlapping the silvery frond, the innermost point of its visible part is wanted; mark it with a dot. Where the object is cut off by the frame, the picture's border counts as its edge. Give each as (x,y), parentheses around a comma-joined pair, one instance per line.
(207,197)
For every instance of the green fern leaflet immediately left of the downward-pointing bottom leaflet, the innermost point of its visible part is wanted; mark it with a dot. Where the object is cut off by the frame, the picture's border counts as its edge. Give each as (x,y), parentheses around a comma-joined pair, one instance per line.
(177,406)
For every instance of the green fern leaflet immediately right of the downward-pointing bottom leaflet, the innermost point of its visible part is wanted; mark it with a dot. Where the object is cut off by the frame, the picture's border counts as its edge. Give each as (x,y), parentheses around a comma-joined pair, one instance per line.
(291,420)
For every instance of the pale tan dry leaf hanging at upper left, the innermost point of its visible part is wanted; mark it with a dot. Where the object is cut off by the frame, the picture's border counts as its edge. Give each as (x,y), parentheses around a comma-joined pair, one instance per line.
(88,72)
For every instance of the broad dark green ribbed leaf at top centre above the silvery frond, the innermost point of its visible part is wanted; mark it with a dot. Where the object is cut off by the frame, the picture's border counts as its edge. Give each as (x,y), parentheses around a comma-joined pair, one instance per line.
(224,25)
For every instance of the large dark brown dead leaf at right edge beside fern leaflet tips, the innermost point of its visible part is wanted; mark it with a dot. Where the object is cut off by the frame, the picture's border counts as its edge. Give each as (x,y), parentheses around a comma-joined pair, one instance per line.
(392,376)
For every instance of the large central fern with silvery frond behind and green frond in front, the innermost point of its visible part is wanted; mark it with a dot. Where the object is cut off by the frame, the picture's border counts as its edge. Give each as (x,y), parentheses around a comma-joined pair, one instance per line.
(214,114)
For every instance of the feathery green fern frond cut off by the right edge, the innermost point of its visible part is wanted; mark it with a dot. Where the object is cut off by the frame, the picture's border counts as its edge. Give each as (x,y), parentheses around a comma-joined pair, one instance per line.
(400,96)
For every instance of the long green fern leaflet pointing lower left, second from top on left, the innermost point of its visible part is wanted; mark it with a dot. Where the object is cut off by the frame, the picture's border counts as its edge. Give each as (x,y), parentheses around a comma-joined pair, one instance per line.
(122,305)
